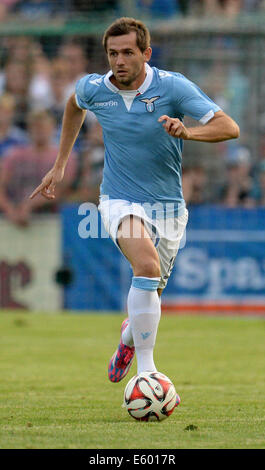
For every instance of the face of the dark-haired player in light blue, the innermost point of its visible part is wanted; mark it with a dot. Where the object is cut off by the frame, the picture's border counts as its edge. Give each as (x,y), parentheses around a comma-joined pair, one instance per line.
(127,61)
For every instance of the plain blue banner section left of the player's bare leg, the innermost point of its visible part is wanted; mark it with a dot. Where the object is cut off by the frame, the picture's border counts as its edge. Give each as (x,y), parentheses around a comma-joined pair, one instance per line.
(96,264)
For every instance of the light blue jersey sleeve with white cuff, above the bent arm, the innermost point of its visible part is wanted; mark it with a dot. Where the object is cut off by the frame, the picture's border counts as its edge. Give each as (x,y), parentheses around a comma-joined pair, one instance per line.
(191,101)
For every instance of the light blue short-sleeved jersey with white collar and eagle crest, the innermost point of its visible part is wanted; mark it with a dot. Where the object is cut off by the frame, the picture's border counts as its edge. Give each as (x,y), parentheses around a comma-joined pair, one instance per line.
(142,162)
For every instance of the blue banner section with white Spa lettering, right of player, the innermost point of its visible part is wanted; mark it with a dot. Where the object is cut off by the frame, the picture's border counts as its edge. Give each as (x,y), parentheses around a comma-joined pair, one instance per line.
(223,260)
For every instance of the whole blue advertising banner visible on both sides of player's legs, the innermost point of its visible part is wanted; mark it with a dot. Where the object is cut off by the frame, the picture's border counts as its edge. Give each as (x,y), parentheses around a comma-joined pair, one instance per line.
(222,262)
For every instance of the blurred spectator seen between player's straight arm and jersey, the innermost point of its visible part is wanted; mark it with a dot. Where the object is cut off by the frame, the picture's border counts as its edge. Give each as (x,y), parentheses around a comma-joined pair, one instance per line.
(91,166)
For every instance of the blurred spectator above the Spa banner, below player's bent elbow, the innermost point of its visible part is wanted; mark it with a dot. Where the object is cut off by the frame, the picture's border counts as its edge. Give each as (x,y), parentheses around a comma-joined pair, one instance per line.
(236,190)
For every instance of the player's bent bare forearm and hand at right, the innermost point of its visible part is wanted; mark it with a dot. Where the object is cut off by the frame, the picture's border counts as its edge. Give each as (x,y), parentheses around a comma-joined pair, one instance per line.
(219,128)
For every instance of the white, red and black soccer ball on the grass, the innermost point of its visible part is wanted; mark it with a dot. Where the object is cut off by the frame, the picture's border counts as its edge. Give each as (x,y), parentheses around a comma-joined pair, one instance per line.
(150,396)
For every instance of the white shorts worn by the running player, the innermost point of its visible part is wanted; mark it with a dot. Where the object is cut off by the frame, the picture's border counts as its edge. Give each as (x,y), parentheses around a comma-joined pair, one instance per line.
(166,234)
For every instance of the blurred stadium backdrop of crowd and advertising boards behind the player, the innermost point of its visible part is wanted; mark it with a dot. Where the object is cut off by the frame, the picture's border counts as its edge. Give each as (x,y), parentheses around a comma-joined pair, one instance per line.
(44,48)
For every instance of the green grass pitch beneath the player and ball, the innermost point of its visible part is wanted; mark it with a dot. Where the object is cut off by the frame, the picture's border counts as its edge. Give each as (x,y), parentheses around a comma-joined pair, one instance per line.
(54,391)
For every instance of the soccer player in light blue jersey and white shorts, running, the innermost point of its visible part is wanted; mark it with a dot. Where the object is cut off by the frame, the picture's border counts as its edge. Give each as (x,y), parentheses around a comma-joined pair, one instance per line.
(141,111)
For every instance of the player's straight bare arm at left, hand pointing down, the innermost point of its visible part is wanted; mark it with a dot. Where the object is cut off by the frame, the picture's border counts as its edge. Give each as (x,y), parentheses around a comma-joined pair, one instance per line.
(72,121)
